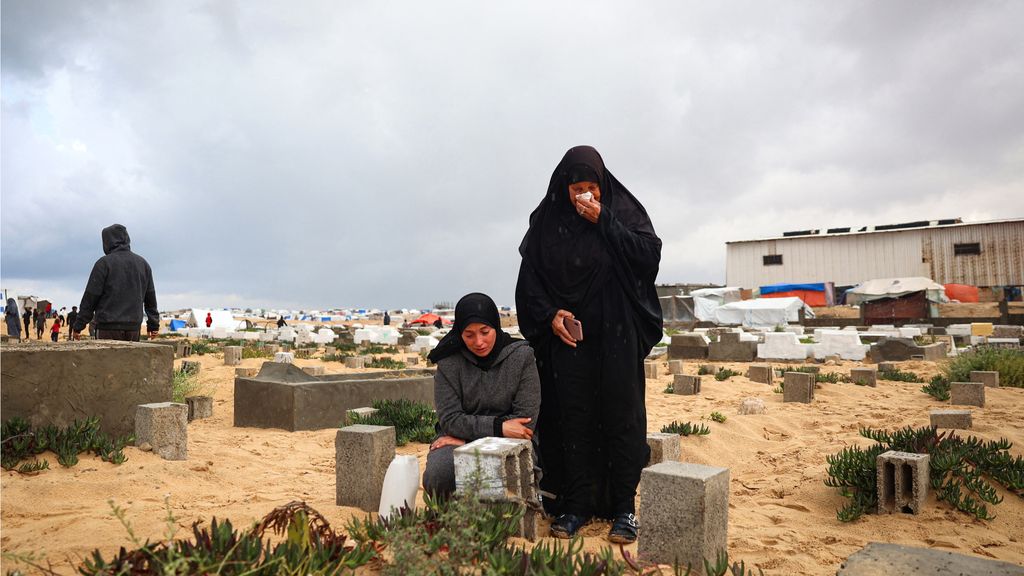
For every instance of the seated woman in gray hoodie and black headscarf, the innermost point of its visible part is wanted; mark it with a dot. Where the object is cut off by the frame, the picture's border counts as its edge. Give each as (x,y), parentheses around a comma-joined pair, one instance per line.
(486,386)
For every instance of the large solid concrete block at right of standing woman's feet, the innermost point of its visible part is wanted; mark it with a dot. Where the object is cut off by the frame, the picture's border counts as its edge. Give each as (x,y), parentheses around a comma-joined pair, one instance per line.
(686,514)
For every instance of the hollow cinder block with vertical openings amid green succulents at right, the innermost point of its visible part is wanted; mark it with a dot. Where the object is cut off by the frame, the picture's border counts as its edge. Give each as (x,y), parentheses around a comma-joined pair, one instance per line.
(903,482)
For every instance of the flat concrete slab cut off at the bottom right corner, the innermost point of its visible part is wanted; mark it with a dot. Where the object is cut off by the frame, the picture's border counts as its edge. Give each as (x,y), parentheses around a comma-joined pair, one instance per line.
(884,560)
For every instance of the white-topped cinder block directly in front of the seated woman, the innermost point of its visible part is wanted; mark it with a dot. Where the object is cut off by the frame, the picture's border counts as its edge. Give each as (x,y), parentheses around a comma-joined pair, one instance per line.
(504,466)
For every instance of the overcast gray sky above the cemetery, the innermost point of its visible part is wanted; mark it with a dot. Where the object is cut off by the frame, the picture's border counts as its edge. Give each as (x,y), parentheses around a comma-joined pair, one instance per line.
(389,154)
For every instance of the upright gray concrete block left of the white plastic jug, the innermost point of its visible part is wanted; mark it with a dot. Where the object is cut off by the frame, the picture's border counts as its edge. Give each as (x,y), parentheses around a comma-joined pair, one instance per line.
(363,455)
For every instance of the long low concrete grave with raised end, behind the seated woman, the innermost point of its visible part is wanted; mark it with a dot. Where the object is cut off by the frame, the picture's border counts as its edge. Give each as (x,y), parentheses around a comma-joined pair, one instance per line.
(282,396)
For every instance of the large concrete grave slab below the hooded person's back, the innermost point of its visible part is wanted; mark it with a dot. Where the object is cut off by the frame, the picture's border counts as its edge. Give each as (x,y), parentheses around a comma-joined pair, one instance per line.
(58,384)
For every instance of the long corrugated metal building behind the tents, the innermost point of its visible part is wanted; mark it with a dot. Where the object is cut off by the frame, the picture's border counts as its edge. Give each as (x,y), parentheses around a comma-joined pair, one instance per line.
(985,255)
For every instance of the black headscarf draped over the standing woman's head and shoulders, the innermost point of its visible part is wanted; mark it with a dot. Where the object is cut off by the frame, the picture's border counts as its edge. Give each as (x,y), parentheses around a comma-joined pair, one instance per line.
(568,276)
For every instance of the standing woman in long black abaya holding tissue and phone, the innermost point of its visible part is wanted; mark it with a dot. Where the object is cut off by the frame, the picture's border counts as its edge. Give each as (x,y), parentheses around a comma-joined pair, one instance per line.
(590,256)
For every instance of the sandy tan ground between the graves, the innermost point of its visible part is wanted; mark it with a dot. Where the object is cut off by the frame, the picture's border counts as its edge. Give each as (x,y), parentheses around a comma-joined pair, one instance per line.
(782,517)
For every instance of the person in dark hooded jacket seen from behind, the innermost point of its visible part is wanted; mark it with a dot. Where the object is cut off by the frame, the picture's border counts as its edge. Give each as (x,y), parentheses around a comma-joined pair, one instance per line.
(119,290)
